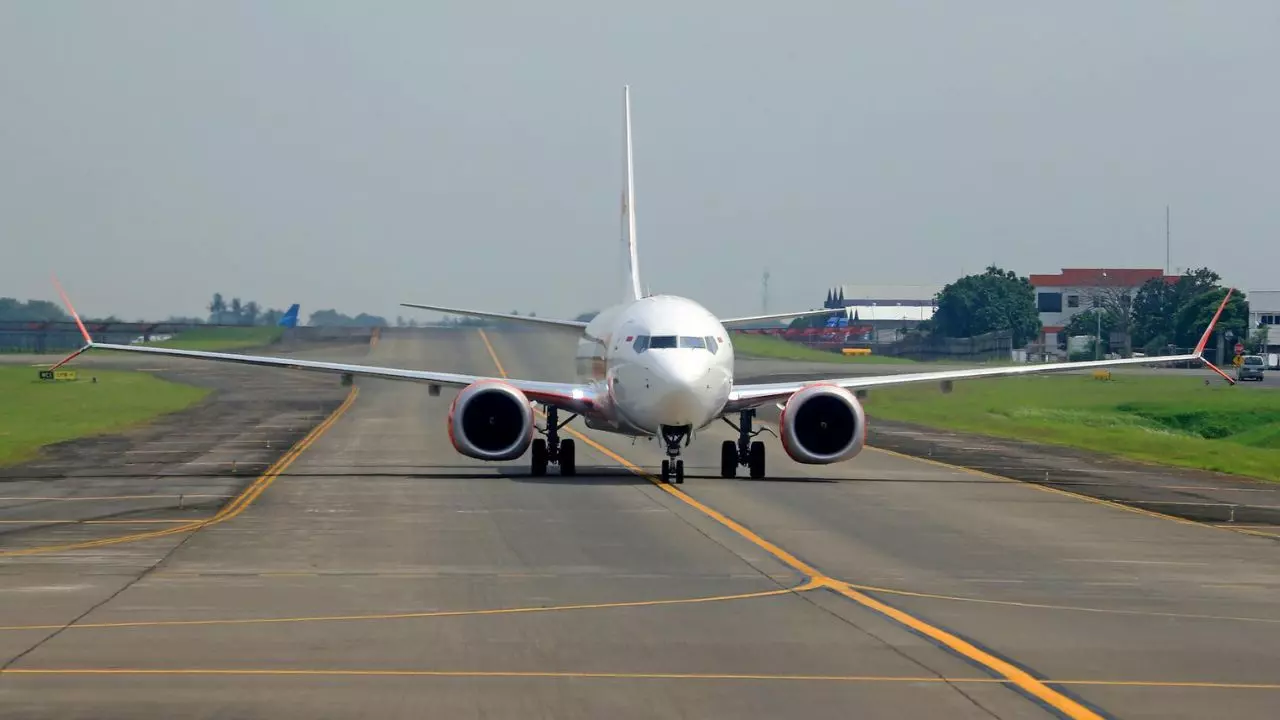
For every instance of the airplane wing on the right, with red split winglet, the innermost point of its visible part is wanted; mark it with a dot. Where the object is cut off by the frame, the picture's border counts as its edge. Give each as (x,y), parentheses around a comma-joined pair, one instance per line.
(744,397)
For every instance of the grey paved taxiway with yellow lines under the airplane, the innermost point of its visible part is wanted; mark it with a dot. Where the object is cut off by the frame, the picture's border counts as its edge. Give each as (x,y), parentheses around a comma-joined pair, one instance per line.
(374,572)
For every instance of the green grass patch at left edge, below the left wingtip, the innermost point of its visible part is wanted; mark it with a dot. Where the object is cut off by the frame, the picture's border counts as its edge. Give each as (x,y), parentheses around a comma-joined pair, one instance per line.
(42,413)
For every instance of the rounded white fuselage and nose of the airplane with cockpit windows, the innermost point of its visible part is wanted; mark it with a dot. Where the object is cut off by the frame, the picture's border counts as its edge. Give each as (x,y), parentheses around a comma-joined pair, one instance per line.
(659,362)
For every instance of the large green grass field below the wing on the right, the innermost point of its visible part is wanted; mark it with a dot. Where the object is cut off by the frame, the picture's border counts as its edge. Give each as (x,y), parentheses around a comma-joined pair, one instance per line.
(1176,421)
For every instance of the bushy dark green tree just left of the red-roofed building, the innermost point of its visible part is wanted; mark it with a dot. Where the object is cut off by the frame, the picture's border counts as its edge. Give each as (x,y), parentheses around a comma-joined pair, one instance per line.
(995,300)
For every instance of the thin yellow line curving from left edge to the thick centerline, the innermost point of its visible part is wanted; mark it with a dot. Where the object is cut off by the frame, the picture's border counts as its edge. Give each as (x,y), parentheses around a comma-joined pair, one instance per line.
(419,616)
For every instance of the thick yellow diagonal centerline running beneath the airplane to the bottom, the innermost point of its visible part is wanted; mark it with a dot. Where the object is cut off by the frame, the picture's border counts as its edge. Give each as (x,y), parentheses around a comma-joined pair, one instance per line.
(1012,673)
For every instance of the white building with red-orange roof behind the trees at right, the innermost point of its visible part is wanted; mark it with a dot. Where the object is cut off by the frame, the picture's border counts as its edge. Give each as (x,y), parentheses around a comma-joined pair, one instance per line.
(1062,297)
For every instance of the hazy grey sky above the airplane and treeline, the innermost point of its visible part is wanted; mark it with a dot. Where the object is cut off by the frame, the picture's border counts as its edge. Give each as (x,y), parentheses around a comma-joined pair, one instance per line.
(355,156)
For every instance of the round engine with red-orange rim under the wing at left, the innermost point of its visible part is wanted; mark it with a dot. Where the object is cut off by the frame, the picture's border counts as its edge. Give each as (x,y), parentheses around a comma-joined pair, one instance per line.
(491,421)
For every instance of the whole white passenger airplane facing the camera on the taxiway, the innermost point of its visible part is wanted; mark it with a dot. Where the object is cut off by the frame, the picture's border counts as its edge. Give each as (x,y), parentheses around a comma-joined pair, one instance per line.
(653,366)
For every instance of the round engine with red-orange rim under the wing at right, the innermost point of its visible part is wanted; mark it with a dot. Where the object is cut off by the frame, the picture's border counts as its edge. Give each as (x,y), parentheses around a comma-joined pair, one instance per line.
(822,425)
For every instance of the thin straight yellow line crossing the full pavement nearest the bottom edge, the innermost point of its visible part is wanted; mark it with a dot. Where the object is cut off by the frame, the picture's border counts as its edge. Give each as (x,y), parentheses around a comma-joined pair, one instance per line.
(536,675)
